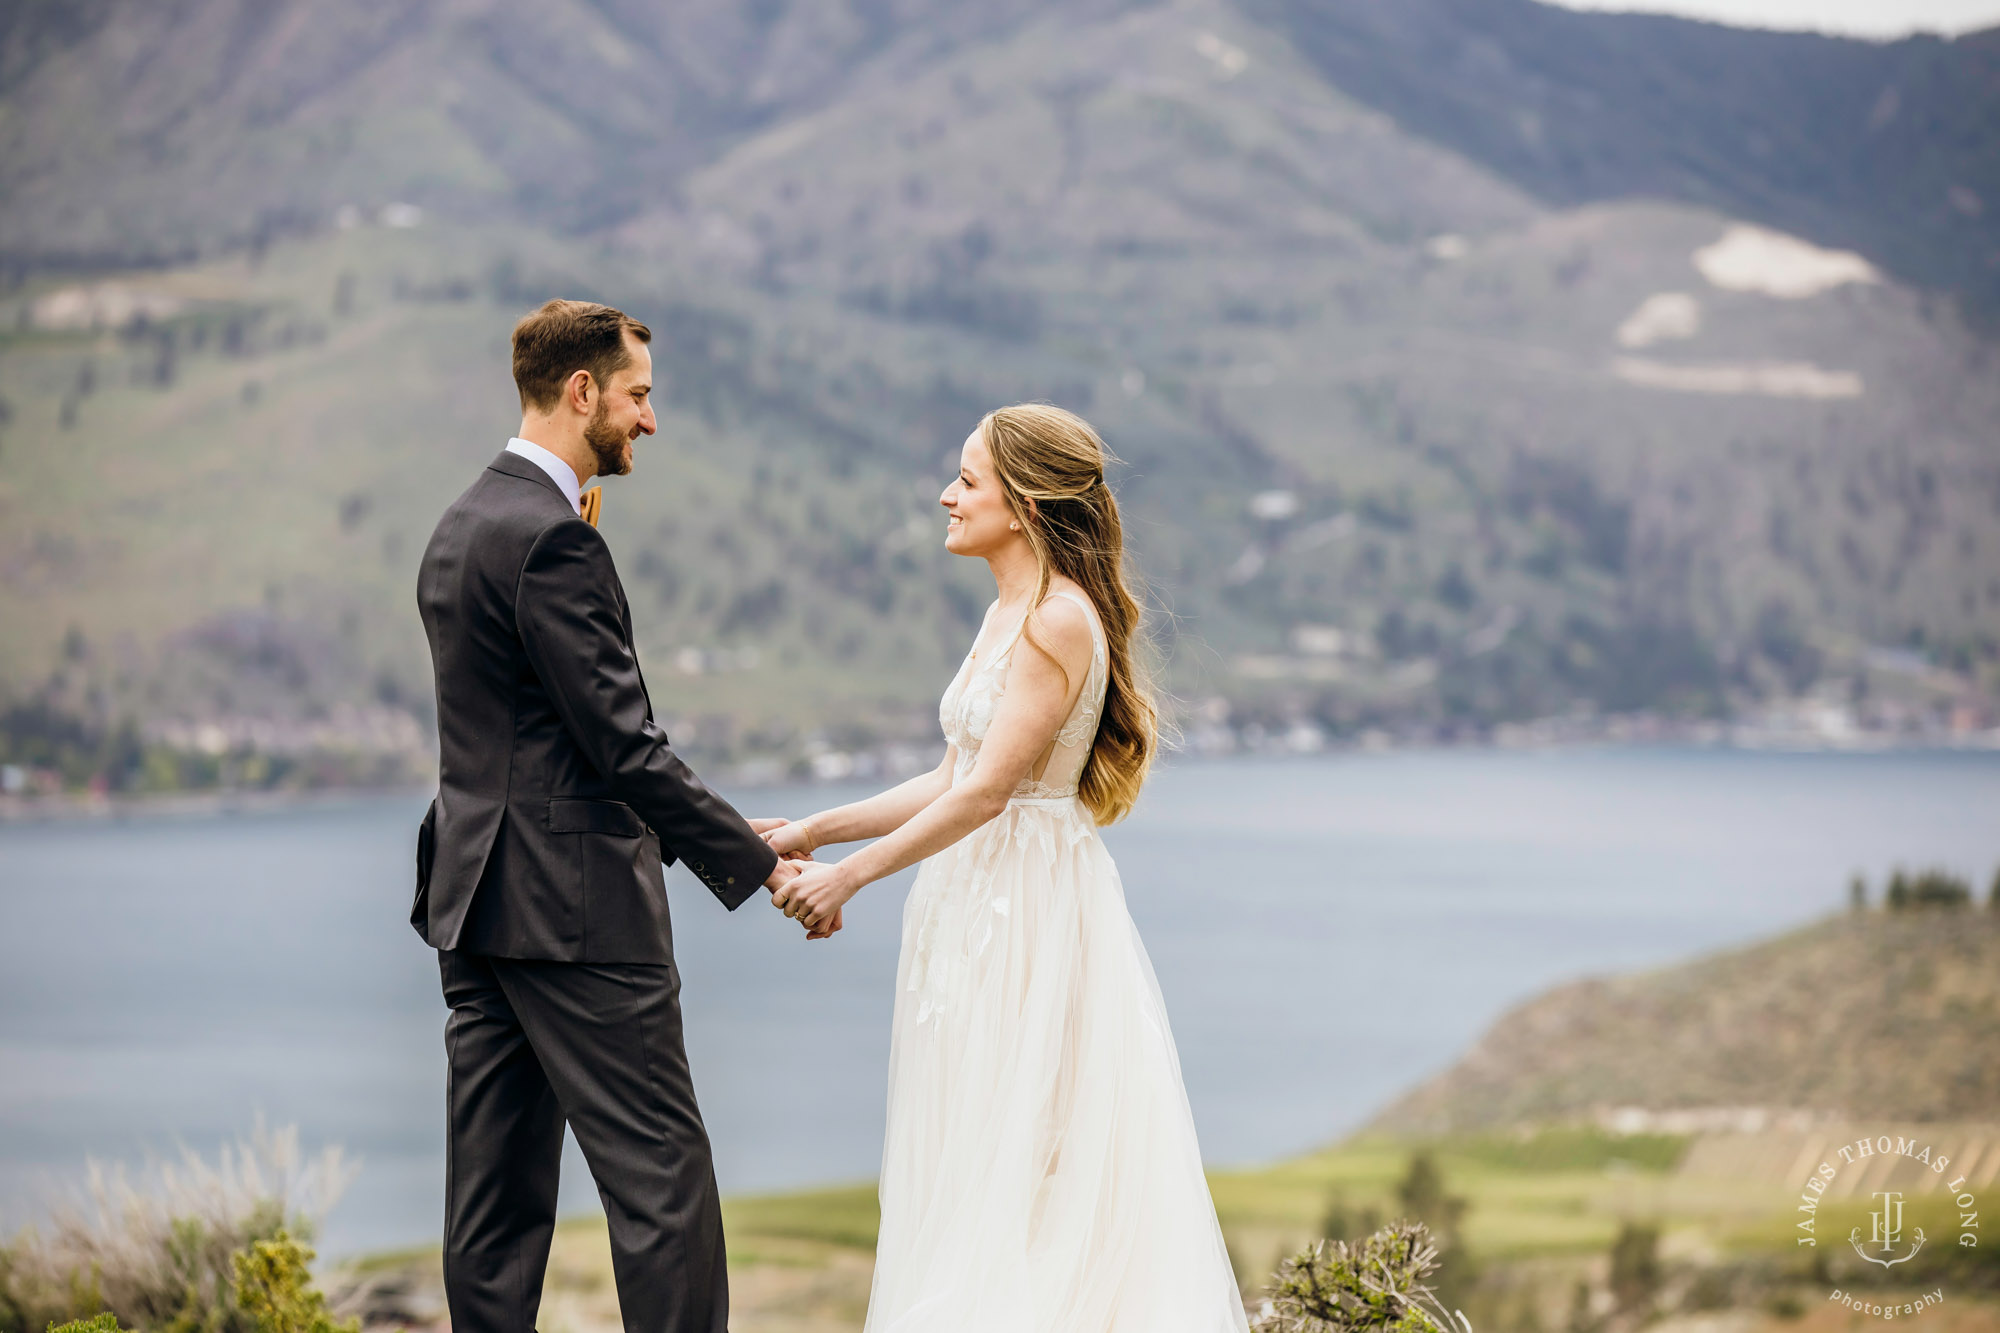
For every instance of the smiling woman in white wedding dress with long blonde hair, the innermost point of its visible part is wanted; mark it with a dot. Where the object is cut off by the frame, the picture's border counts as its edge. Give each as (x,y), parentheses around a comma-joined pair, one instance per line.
(1041,1172)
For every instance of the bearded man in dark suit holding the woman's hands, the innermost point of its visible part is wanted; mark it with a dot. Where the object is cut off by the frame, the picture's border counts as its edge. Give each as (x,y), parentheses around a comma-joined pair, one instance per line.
(539,868)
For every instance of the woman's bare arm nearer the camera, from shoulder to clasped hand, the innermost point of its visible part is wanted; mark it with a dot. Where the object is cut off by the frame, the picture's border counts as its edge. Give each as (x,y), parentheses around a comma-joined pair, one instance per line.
(1031,714)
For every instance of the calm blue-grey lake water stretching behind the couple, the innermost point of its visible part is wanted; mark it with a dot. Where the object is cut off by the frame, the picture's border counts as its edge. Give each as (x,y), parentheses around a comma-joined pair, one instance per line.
(1327,932)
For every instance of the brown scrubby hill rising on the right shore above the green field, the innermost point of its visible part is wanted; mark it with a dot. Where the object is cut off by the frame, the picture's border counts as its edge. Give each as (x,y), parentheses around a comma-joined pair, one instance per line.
(1885,1018)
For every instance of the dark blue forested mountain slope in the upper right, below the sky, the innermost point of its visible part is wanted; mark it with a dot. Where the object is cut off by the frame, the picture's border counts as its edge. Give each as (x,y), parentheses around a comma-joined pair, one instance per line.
(1883,147)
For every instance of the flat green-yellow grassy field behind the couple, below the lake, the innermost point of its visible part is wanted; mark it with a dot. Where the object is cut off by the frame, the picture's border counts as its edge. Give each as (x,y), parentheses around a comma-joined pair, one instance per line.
(1543,1212)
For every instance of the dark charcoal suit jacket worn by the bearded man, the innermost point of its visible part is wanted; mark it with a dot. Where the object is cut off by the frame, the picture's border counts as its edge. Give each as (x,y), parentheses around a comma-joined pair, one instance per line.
(559,798)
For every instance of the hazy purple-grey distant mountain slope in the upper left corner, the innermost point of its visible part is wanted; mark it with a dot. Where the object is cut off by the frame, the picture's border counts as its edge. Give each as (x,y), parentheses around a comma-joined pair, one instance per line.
(163,131)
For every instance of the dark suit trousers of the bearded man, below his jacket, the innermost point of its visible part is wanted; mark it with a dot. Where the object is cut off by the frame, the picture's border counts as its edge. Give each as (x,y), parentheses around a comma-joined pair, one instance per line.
(539,1044)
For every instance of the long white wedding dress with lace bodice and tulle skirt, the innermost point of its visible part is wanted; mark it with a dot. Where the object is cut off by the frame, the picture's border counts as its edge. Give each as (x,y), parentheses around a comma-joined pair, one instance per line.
(1041,1172)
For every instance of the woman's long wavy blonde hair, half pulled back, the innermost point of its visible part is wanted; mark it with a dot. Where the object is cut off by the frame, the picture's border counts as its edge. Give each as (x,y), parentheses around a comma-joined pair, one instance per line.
(1057,461)
